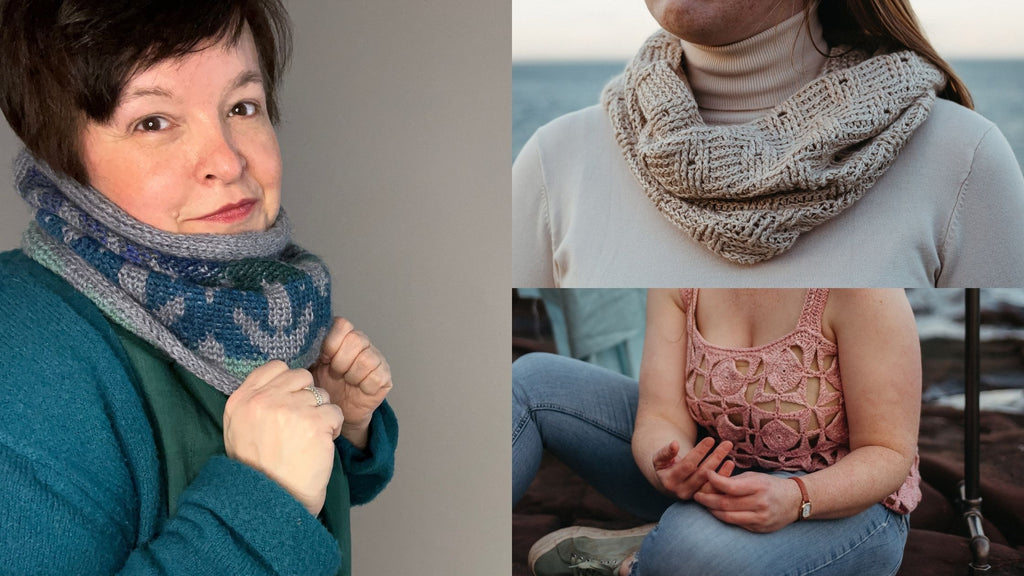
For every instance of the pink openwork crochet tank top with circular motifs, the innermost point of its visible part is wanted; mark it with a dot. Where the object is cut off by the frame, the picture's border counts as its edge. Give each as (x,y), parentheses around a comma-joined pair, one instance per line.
(781,404)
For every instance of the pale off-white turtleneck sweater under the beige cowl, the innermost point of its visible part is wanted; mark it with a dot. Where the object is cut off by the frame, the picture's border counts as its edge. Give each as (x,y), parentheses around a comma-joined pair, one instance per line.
(949,213)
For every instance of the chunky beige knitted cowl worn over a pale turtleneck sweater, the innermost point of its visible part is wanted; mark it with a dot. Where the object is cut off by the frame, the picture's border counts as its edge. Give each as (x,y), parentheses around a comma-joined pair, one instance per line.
(747,192)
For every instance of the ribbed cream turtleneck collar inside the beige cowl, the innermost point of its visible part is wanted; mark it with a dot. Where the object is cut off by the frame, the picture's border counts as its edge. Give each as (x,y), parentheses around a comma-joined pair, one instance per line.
(740,83)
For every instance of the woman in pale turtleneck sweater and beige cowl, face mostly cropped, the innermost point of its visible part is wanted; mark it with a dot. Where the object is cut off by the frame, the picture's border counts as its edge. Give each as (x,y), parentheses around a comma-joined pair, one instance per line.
(776,143)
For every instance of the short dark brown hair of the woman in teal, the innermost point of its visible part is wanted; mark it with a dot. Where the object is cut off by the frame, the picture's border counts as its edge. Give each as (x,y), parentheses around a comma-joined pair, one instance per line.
(68,62)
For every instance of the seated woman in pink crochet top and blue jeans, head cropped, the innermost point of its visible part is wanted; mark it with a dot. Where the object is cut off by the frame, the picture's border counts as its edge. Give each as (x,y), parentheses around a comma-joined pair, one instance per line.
(741,394)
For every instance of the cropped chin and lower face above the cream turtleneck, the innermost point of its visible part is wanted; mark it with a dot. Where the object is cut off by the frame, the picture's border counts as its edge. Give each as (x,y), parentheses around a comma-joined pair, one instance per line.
(716,23)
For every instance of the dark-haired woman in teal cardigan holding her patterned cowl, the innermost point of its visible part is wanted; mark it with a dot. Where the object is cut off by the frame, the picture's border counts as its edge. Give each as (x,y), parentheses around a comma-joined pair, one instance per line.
(179,398)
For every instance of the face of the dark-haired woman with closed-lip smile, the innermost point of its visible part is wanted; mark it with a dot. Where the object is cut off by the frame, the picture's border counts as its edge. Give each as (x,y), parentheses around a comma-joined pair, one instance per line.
(190,148)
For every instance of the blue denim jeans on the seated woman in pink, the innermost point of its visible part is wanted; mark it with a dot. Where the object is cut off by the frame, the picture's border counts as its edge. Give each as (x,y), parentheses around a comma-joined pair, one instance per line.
(584,416)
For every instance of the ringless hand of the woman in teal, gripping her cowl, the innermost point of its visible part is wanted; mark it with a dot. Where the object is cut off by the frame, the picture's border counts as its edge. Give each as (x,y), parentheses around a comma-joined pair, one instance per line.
(356,375)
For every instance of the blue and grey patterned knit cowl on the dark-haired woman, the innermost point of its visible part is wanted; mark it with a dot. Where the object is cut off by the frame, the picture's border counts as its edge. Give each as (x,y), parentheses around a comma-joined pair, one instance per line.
(221,306)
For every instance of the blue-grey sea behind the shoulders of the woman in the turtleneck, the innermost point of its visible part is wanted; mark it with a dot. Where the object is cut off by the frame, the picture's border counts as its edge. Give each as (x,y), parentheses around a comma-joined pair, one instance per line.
(542,93)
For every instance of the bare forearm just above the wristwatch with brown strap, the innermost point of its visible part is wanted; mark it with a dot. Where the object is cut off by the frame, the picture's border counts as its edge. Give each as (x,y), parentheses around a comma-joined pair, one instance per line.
(866,477)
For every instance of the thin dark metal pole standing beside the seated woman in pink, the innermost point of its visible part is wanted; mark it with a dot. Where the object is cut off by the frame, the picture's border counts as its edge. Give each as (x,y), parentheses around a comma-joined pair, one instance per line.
(970,492)
